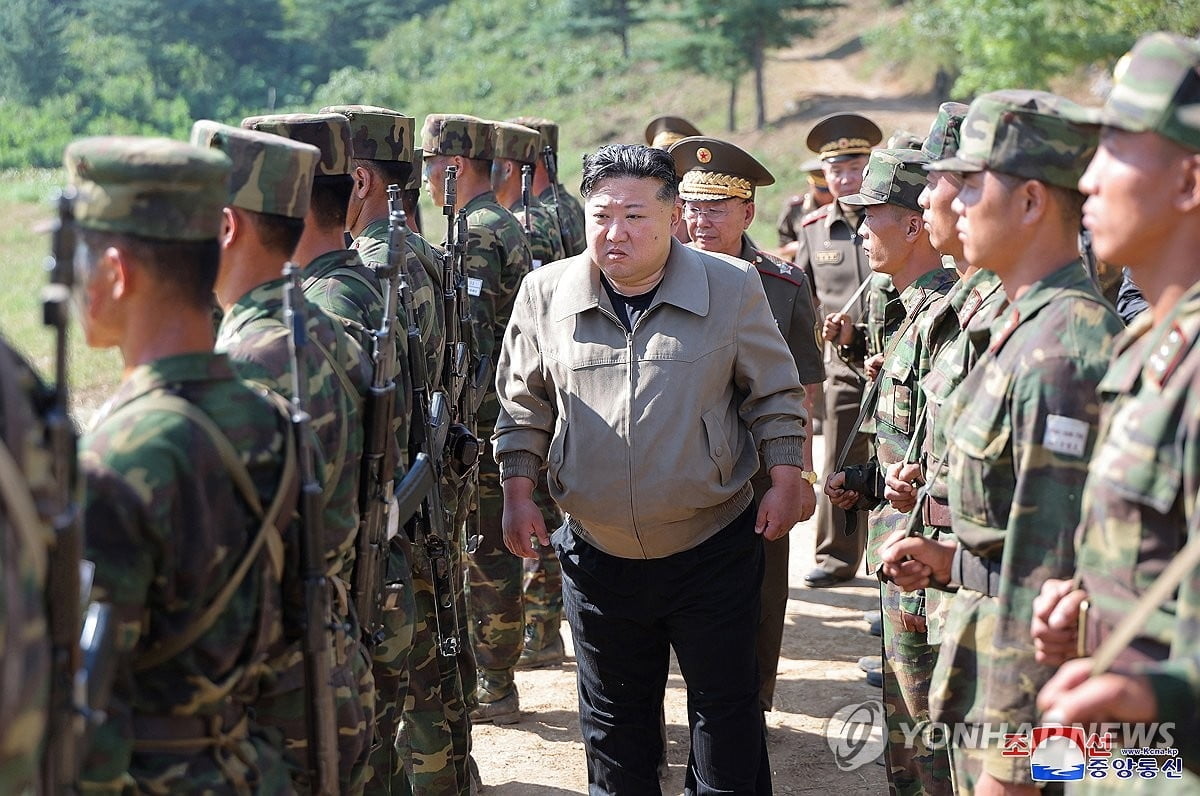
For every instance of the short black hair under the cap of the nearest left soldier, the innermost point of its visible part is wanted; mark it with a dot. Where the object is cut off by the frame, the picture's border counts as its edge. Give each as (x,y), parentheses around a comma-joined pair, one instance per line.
(187,268)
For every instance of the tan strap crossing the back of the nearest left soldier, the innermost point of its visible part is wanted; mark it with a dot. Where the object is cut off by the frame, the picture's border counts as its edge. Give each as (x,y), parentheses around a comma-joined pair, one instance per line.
(269,534)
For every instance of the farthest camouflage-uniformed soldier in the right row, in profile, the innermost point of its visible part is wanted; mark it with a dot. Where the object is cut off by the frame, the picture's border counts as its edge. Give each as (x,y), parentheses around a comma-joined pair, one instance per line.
(898,246)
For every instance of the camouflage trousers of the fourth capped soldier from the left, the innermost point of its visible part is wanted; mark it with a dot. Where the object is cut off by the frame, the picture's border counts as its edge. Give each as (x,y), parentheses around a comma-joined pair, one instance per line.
(435,739)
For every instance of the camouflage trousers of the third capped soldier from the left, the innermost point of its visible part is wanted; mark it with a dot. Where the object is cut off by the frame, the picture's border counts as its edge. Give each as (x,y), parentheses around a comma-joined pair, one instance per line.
(391,668)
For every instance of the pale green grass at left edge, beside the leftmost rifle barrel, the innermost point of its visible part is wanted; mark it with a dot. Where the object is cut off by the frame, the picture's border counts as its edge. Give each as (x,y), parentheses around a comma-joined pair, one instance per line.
(26,205)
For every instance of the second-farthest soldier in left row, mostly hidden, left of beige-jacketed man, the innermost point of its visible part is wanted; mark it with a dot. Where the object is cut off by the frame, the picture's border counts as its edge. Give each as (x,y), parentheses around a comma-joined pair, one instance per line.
(541,584)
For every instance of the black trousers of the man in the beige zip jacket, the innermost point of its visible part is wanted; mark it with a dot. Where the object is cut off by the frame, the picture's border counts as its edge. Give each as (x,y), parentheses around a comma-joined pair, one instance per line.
(626,617)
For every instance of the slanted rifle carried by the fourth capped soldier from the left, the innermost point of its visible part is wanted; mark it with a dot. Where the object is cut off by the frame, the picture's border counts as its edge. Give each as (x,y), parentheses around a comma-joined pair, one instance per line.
(419,495)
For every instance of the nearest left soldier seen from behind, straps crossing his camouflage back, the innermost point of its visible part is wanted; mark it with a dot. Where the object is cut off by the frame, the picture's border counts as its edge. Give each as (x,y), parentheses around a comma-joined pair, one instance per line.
(184,549)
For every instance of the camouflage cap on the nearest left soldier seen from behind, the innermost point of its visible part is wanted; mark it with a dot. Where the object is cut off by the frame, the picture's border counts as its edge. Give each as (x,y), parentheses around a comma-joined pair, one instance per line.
(153,188)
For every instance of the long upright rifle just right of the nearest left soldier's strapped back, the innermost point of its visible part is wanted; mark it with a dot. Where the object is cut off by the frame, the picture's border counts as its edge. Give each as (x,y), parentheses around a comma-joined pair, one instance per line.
(319,633)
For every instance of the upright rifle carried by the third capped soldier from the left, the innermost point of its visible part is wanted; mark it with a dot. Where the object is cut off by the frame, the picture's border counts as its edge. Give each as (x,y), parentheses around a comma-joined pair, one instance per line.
(376,480)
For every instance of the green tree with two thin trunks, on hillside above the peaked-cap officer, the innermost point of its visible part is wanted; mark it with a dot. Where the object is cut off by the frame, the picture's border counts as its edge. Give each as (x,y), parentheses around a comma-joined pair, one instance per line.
(727,39)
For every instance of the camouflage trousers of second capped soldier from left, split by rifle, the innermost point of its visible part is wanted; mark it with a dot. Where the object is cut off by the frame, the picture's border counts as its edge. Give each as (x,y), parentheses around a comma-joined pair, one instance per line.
(283,707)
